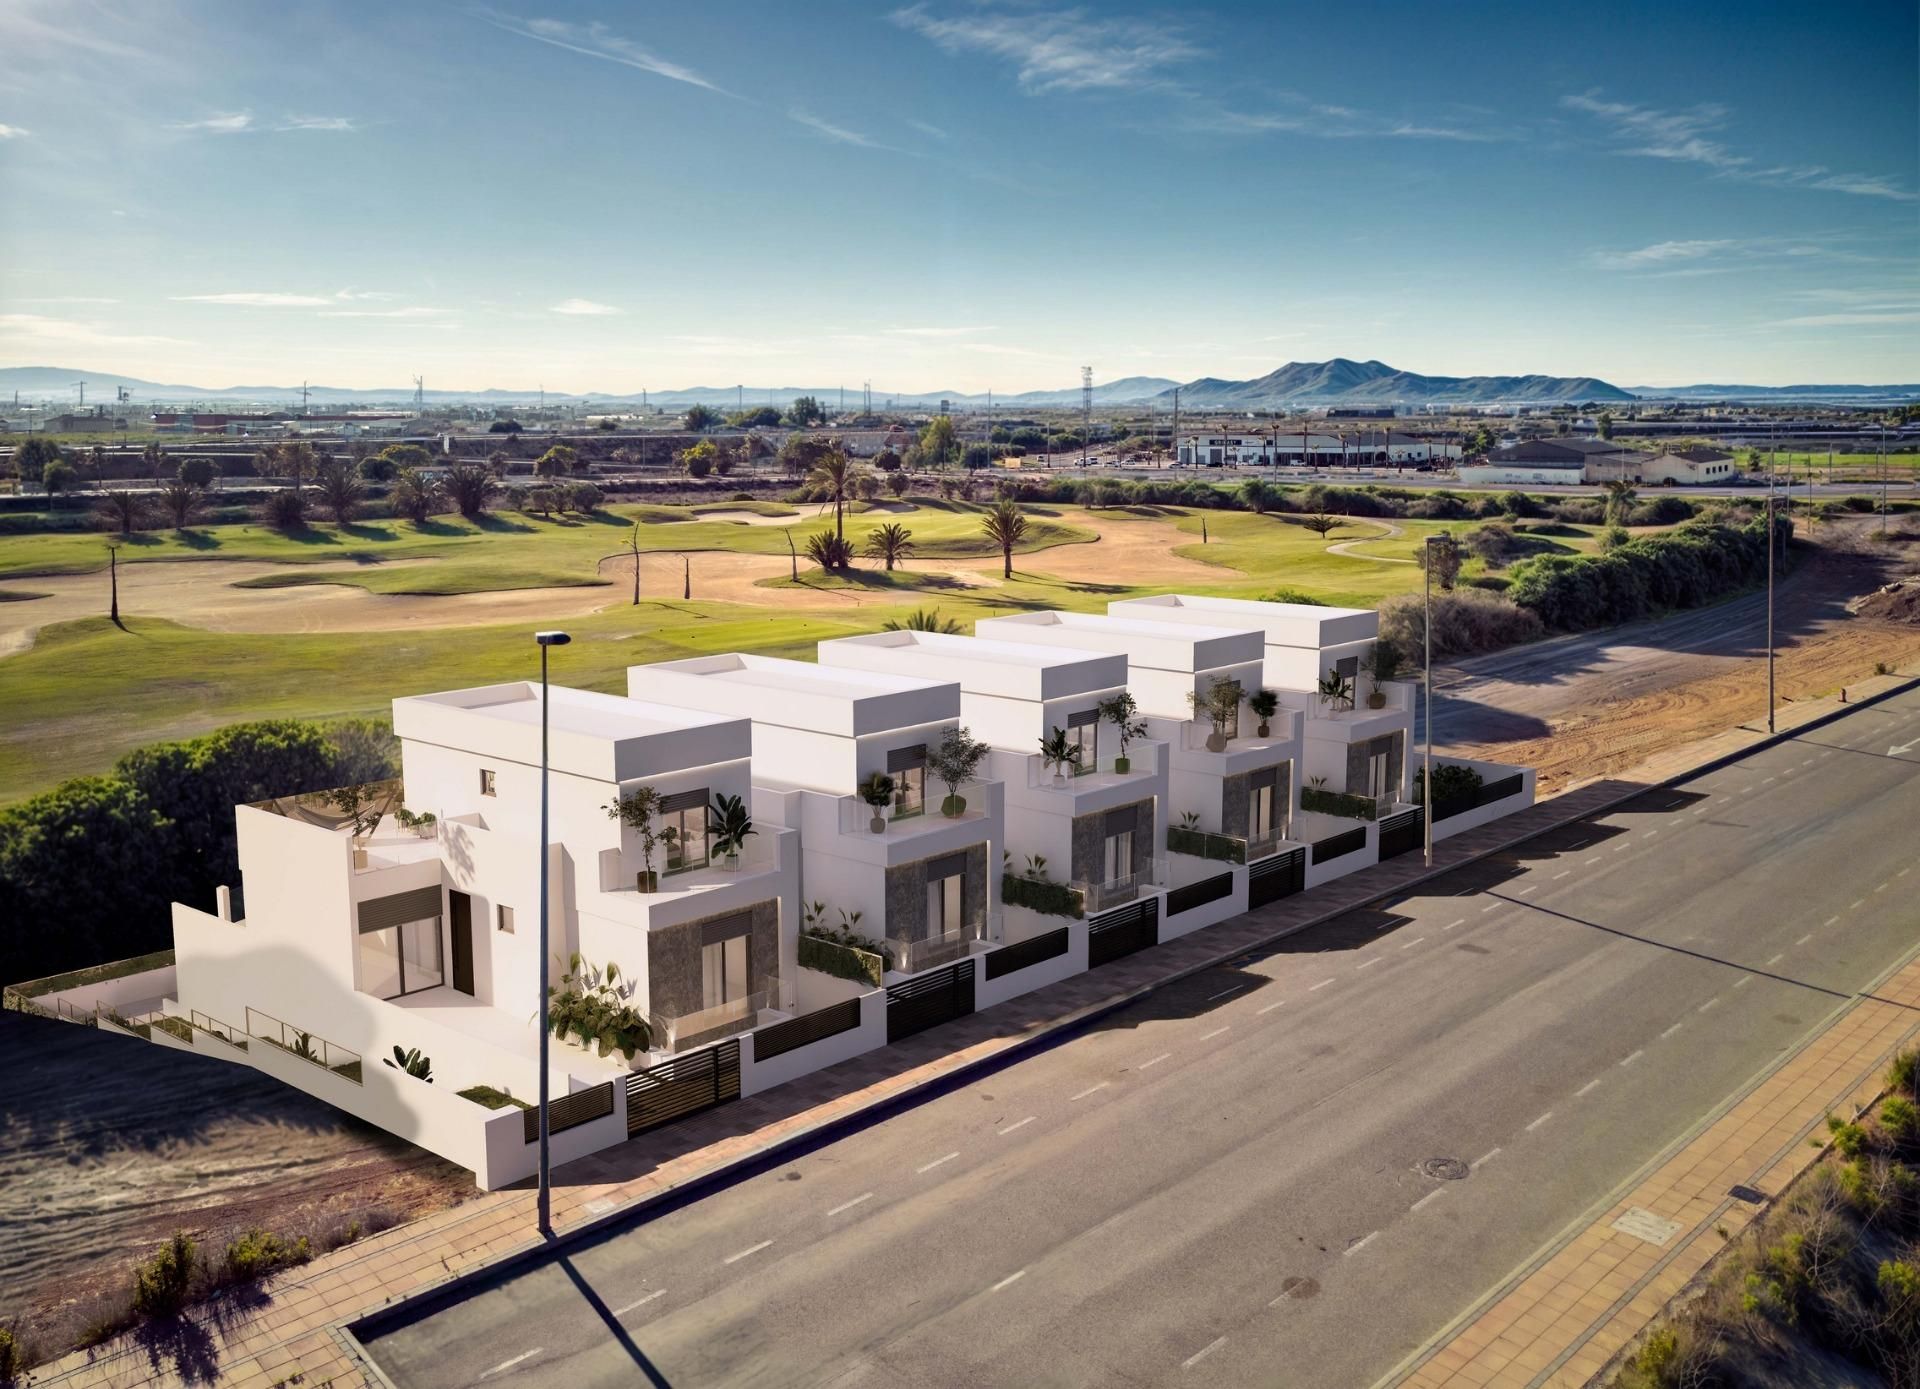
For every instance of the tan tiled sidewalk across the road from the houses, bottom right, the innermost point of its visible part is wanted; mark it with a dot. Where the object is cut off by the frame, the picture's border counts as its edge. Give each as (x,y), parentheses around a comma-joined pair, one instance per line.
(1566,1321)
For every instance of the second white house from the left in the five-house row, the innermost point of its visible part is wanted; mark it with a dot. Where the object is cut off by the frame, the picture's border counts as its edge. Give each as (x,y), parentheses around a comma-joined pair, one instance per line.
(852,762)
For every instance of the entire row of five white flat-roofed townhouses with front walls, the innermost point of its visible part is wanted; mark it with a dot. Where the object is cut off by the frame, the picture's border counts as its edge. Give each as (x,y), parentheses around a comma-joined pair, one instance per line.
(938,823)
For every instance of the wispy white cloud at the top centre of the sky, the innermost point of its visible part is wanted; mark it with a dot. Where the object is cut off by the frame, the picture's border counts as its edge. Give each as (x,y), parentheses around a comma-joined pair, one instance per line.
(1061,51)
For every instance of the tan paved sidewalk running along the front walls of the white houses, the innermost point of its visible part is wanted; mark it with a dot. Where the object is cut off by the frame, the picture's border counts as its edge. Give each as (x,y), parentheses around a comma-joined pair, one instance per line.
(295,1327)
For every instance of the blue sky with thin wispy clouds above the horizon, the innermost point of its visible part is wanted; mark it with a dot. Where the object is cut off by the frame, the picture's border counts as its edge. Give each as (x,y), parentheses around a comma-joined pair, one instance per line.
(957,195)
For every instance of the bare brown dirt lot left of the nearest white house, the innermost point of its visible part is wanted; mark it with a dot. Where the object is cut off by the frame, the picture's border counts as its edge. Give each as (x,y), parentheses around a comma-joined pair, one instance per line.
(153,1140)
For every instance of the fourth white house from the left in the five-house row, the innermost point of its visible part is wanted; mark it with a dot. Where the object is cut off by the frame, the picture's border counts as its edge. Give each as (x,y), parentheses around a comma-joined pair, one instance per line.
(1232,783)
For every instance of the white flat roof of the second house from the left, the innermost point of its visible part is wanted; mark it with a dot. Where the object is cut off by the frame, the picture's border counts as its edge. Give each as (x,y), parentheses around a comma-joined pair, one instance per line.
(798,694)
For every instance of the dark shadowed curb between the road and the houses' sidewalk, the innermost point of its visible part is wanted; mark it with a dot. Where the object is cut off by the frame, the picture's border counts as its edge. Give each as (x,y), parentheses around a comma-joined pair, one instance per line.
(450,1290)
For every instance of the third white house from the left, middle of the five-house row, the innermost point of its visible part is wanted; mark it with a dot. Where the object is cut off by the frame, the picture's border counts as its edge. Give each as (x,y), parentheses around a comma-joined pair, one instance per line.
(1093,823)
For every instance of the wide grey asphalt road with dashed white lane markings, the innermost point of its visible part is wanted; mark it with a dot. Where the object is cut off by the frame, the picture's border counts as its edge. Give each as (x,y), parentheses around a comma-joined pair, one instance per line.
(1224,1184)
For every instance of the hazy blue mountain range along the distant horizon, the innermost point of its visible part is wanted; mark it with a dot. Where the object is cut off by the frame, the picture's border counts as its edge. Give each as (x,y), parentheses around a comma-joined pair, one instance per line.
(1295,385)
